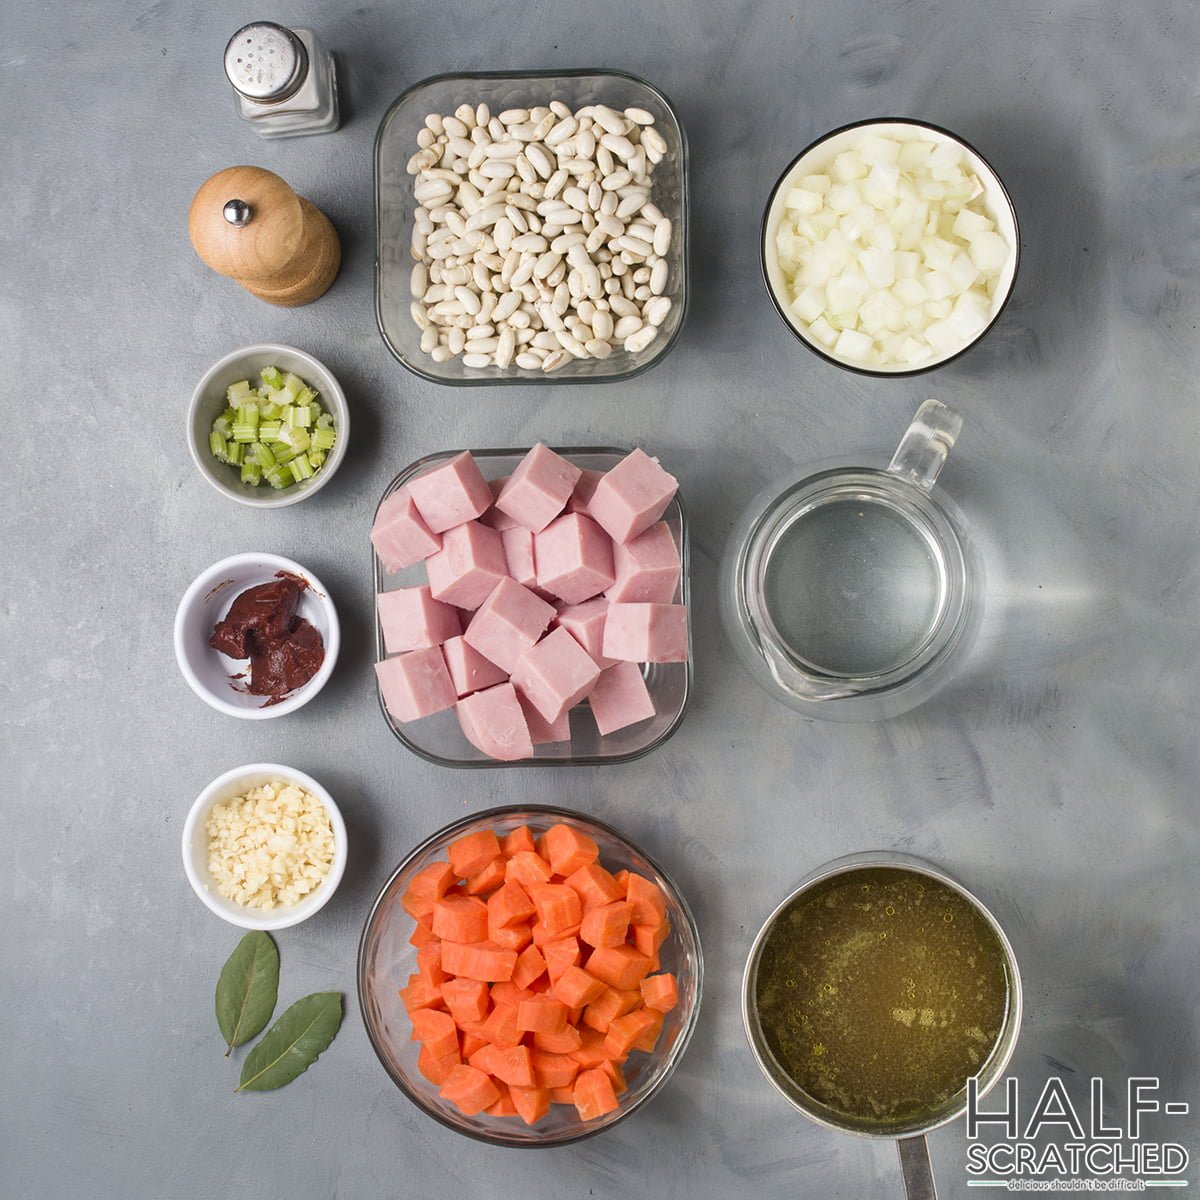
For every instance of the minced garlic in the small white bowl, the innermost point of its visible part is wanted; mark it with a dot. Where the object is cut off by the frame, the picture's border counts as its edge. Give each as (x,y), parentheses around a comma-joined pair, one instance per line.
(269,848)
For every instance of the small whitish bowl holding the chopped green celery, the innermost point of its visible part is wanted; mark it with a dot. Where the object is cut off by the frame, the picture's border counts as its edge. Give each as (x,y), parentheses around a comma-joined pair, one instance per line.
(209,401)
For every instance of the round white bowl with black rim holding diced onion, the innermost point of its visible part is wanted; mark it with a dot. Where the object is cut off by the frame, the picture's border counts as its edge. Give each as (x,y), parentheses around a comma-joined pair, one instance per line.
(818,159)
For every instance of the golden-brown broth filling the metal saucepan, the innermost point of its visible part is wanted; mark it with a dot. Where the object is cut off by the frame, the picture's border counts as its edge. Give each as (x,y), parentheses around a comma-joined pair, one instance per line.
(880,993)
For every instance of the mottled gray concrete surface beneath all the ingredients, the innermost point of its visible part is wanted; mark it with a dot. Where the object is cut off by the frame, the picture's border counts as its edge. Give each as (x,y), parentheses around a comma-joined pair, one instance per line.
(1059,778)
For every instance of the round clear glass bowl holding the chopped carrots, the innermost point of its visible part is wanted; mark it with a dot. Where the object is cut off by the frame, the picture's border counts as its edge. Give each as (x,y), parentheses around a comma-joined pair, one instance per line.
(387,959)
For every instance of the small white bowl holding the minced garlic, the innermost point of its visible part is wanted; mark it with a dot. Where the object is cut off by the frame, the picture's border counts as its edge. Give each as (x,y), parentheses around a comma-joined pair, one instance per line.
(196,848)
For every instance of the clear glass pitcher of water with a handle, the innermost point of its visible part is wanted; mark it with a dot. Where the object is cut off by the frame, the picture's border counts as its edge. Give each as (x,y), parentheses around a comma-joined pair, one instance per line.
(850,595)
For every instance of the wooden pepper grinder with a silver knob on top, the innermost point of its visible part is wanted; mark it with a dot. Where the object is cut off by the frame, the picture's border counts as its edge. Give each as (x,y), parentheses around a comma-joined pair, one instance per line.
(248,224)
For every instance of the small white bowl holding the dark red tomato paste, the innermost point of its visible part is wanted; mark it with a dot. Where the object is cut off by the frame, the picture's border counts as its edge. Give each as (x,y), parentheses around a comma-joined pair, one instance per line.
(208,599)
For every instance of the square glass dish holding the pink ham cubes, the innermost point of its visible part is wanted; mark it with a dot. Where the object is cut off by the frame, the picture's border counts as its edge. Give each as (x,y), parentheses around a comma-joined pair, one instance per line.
(440,739)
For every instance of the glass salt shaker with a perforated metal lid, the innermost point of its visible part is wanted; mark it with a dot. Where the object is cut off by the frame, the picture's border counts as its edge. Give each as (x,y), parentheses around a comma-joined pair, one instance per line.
(284,81)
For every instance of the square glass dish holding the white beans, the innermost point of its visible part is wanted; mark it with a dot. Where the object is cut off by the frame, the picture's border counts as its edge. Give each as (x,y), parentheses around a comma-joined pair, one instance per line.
(397,143)
